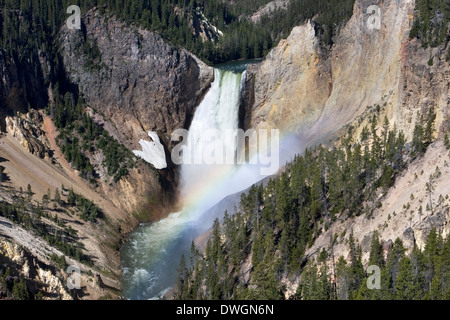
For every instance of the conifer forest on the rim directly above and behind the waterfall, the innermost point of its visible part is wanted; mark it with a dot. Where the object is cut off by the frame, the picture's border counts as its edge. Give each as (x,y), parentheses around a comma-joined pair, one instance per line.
(242,39)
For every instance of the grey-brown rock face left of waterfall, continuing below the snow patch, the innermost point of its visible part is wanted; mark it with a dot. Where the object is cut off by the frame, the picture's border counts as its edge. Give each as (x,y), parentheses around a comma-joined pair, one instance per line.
(137,83)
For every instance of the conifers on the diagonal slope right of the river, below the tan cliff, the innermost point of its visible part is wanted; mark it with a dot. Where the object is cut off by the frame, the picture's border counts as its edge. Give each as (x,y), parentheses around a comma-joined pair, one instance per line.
(277,223)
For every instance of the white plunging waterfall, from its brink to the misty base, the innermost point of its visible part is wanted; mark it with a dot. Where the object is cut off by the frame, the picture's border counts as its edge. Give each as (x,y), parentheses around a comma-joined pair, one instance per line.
(216,116)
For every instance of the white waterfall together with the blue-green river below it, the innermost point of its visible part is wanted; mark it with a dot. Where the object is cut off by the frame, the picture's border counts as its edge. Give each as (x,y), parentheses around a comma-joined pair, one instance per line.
(151,256)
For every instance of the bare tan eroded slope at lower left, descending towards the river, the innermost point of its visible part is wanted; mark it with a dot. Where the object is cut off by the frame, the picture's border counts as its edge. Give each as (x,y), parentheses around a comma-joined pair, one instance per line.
(99,240)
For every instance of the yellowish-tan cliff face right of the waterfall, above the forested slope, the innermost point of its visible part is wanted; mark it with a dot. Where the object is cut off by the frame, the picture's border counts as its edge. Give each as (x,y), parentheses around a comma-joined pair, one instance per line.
(313,92)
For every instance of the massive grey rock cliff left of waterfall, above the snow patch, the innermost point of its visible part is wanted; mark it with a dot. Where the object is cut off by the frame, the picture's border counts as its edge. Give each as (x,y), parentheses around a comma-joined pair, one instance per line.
(135,79)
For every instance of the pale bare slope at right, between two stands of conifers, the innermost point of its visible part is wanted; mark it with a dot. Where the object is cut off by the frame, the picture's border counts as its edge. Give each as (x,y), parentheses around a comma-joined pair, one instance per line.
(409,210)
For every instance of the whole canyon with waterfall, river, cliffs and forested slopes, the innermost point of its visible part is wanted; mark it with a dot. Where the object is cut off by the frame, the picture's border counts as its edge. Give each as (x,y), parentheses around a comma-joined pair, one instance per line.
(89,121)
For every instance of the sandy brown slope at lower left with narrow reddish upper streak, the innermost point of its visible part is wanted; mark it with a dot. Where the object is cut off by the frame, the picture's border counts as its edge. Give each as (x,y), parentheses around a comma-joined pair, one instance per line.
(23,168)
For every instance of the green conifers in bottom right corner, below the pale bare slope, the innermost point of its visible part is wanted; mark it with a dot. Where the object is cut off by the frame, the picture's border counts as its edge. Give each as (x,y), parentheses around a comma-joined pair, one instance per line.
(416,276)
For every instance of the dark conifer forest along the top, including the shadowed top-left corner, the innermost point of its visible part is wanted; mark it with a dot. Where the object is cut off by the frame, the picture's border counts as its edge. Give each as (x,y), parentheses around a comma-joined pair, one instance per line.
(28,26)
